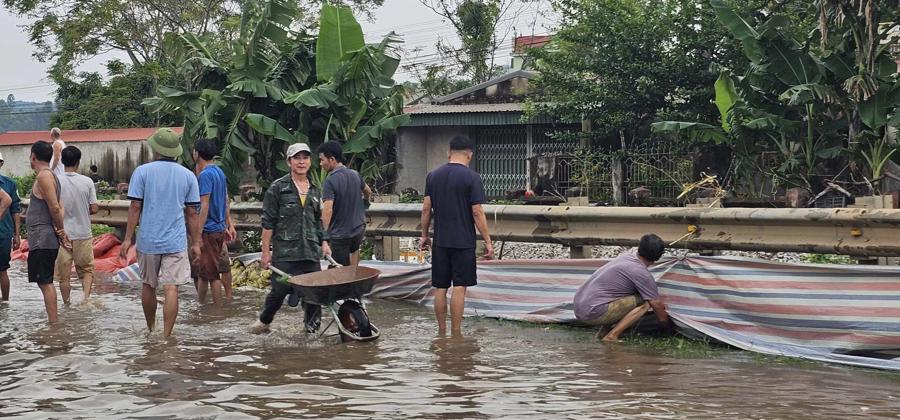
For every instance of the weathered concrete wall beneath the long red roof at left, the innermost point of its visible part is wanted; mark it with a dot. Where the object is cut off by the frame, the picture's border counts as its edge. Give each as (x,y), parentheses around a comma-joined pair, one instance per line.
(115,160)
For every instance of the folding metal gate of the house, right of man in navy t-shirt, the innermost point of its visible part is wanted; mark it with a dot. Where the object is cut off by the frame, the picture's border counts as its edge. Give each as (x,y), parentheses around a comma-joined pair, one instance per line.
(500,153)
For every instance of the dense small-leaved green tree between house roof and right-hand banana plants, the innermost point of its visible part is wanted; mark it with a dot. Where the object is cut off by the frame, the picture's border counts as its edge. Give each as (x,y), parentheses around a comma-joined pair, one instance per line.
(620,63)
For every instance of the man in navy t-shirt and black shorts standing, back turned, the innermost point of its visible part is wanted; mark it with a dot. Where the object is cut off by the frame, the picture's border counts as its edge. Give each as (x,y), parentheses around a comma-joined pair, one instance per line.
(453,196)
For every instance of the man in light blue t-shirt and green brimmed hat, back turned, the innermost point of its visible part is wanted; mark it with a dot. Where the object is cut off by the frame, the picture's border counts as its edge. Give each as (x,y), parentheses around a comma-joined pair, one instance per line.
(156,190)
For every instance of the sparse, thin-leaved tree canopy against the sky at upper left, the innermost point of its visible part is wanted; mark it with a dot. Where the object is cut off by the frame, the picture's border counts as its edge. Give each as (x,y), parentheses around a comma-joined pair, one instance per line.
(66,33)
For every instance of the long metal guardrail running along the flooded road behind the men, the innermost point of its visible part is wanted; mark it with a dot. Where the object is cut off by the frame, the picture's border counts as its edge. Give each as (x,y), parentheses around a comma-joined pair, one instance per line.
(848,231)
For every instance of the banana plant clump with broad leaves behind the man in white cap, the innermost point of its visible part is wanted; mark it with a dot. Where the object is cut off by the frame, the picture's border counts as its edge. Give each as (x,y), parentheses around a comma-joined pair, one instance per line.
(277,86)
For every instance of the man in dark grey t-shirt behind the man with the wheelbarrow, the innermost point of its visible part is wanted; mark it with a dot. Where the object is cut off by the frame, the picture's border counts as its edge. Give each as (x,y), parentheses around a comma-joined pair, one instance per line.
(343,208)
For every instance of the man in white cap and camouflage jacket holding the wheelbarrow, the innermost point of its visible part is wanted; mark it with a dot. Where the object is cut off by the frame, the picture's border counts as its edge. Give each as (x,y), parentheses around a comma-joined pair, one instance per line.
(292,227)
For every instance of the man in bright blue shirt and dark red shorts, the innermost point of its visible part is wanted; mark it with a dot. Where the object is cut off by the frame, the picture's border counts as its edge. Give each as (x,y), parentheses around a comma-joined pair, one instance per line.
(213,269)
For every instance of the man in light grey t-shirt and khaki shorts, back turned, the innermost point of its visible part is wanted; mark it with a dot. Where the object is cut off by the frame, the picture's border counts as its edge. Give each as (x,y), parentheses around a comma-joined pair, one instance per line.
(78,197)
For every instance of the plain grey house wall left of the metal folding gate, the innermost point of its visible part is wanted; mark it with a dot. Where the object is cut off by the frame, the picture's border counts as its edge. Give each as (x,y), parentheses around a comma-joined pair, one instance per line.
(420,150)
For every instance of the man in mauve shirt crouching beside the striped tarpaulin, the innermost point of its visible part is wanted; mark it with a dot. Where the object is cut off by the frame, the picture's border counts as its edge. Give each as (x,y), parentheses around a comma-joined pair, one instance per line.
(622,291)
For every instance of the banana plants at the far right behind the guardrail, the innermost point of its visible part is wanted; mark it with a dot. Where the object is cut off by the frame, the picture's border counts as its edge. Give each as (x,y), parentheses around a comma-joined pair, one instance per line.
(805,98)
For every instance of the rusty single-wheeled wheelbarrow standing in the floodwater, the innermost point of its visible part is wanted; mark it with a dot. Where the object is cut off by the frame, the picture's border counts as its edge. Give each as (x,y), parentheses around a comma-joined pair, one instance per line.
(340,289)
